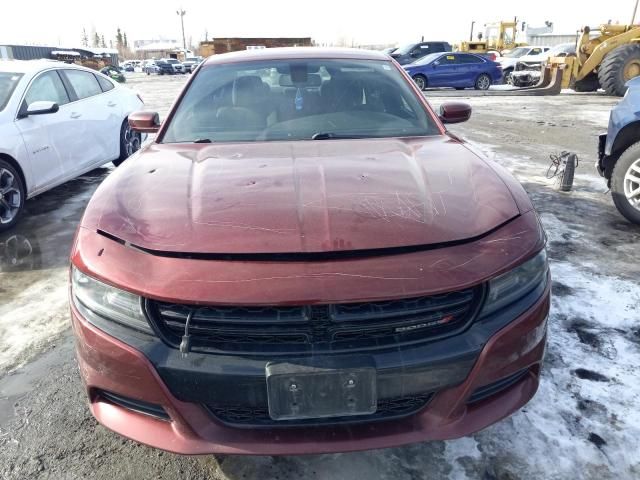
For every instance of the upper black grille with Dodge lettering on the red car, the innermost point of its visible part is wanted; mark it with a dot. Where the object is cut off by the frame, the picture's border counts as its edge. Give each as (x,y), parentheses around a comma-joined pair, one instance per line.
(316,328)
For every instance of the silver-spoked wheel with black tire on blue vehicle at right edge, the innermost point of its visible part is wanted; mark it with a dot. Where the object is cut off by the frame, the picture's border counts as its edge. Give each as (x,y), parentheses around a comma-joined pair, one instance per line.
(625,184)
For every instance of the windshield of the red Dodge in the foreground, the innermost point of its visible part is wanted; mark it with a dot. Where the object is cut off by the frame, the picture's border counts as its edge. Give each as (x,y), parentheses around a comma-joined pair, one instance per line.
(298,100)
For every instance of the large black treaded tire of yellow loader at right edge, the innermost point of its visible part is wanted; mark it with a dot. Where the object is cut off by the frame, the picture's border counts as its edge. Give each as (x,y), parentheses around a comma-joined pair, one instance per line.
(619,66)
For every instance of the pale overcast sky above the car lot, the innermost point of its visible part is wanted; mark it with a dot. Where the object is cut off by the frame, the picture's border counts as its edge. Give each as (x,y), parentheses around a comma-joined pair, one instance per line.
(366,22)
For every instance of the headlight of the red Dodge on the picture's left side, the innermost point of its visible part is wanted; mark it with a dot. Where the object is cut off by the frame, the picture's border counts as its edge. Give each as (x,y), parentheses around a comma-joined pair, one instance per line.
(96,299)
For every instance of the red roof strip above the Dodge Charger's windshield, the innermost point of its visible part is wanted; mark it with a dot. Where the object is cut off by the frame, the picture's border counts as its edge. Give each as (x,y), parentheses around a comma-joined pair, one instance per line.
(286,53)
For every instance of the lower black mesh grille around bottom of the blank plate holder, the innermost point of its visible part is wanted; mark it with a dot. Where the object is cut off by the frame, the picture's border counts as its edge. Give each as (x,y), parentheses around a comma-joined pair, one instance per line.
(388,409)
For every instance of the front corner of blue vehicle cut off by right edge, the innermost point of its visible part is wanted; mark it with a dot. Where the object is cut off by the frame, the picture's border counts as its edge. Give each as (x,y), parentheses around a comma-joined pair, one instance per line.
(619,153)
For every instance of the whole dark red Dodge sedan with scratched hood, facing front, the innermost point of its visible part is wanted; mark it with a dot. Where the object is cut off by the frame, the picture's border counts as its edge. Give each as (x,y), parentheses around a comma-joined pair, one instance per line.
(305,260)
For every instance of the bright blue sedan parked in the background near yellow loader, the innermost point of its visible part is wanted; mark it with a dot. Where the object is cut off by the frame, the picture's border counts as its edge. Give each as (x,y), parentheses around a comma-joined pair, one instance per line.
(457,70)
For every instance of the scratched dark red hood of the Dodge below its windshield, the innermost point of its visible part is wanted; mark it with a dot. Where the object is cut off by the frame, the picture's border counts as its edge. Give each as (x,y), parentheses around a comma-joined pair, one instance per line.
(313,196)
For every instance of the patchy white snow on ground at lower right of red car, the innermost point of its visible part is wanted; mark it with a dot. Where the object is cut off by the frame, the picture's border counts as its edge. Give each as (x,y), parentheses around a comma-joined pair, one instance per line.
(584,420)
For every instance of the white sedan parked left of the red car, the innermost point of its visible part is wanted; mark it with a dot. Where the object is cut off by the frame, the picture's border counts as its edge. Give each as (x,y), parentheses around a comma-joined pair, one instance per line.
(57,121)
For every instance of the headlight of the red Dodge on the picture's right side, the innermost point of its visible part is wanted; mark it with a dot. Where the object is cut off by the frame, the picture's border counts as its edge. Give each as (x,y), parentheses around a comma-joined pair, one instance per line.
(509,287)
